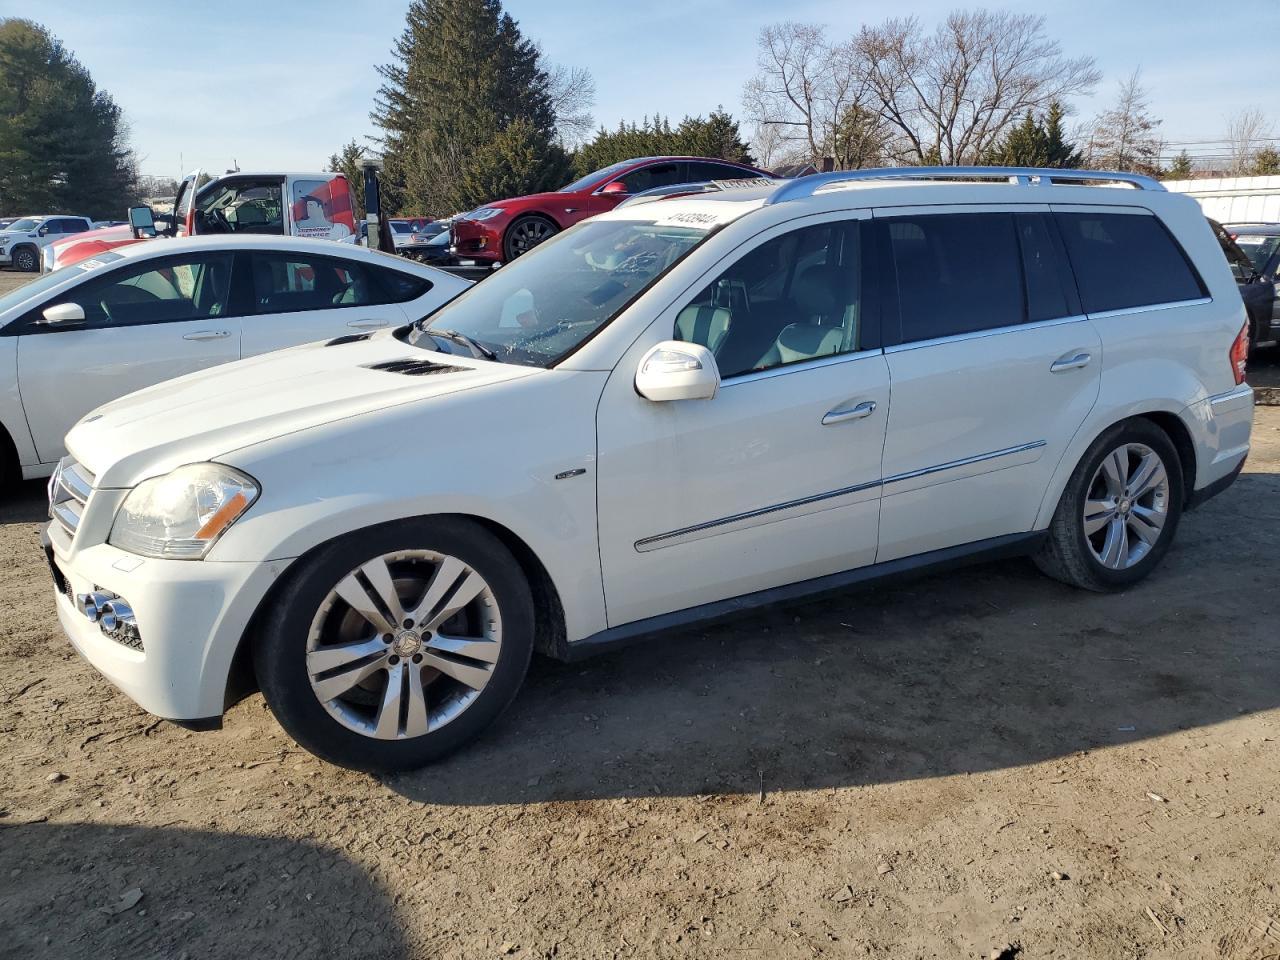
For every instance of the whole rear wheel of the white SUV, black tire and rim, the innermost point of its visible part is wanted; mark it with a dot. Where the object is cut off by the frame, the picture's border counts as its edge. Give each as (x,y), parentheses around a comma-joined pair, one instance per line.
(1119,511)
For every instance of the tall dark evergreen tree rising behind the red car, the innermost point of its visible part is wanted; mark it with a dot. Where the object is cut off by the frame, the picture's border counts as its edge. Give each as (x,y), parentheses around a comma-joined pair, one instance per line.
(461,75)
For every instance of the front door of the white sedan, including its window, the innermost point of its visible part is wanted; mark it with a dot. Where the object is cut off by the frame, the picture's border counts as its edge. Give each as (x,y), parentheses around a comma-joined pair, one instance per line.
(144,323)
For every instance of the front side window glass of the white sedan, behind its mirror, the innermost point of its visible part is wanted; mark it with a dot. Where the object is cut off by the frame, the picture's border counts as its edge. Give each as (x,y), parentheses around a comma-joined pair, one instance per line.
(156,292)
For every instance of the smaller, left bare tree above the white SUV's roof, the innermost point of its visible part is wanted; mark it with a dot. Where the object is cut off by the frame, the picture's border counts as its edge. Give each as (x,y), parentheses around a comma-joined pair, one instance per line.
(804,95)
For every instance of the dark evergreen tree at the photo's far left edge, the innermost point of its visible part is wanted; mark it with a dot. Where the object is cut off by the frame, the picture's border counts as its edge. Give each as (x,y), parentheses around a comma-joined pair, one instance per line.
(62,140)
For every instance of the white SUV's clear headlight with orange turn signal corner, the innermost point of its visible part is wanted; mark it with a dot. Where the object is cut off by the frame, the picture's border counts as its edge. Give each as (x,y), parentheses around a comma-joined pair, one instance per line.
(181,515)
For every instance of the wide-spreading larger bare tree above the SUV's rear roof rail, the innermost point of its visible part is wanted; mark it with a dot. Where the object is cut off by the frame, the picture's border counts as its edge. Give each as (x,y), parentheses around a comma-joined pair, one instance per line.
(949,97)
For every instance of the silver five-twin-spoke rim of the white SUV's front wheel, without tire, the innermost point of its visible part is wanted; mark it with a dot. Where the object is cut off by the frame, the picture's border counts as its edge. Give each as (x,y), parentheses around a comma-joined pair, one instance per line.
(404,644)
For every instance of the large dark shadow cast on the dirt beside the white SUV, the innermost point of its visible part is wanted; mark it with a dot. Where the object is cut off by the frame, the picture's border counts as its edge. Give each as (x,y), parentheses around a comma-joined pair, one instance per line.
(982,669)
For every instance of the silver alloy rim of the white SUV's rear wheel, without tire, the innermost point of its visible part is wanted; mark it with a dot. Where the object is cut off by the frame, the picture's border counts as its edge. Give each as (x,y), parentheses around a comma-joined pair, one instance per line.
(1127,506)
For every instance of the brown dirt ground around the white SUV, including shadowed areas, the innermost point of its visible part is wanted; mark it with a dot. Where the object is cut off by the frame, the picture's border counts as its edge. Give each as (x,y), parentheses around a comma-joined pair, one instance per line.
(979,762)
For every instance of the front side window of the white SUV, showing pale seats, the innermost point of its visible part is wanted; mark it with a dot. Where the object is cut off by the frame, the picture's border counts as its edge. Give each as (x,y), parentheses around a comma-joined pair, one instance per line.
(793,299)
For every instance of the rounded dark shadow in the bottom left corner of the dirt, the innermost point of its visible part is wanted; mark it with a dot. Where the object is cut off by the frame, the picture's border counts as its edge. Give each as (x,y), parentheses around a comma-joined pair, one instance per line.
(204,895)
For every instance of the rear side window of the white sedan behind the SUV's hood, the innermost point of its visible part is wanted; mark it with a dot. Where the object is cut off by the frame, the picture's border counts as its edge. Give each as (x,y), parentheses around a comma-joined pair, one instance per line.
(287,284)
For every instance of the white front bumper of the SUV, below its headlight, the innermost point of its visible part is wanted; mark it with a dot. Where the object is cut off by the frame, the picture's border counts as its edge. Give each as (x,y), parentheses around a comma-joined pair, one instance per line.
(191,618)
